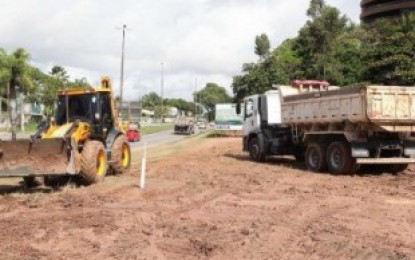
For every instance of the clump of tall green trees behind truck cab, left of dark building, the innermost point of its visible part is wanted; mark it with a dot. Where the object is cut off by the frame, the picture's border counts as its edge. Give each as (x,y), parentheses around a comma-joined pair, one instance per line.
(326,48)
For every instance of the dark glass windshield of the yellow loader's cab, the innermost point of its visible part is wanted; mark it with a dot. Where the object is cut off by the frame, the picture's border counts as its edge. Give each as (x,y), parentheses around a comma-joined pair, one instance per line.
(81,107)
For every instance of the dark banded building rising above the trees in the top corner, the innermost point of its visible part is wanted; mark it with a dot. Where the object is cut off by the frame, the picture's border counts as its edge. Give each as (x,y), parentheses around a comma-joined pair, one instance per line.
(372,9)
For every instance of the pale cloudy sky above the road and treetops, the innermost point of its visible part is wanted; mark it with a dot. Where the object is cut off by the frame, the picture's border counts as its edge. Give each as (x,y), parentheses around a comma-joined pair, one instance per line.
(197,41)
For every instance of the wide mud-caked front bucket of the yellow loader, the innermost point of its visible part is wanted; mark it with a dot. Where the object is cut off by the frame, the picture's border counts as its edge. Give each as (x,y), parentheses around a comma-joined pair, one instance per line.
(40,157)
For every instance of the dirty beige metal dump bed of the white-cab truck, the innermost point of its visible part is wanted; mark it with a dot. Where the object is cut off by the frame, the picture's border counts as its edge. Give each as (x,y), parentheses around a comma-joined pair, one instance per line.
(391,108)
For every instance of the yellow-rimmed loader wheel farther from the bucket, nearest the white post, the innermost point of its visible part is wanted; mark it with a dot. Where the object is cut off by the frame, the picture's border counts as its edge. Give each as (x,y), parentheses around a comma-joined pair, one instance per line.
(120,155)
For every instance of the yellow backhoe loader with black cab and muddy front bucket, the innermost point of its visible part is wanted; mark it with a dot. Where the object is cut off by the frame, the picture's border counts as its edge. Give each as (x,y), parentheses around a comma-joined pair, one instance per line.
(84,138)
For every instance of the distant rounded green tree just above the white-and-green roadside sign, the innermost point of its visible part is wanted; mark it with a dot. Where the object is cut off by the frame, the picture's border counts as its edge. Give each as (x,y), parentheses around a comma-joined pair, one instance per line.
(211,95)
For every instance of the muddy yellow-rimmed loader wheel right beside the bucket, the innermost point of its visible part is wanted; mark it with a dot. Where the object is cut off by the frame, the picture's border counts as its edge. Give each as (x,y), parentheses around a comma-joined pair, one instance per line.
(94,162)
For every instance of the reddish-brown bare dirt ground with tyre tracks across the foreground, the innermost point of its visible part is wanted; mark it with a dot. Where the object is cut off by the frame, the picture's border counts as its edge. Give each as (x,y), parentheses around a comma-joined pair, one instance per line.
(211,202)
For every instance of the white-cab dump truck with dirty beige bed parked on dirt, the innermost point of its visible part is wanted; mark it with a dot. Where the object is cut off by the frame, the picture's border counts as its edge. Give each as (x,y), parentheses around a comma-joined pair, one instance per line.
(332,128)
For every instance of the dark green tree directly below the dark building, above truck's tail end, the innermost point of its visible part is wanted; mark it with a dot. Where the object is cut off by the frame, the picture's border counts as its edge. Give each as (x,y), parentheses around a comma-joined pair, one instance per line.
(388,52)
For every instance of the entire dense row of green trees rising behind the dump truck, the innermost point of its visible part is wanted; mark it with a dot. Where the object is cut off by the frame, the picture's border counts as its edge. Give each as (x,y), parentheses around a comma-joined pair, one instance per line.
(330,47)
